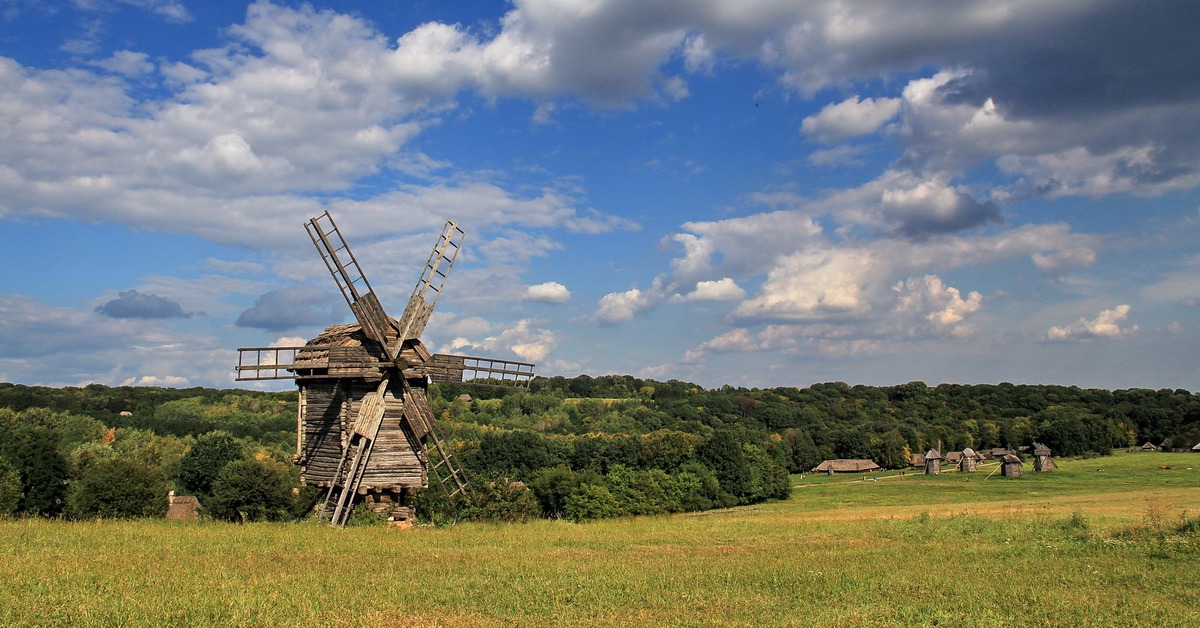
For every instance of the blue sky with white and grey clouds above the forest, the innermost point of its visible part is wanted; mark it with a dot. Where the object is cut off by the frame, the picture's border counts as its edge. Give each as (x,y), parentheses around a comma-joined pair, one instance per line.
(757,194)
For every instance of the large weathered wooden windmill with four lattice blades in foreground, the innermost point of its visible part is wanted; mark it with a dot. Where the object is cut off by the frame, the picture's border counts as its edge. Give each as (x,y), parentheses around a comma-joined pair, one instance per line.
(364,423)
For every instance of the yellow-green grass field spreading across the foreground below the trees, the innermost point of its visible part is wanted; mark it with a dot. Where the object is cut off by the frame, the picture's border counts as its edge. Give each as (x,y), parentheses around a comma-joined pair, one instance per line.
(1102,542)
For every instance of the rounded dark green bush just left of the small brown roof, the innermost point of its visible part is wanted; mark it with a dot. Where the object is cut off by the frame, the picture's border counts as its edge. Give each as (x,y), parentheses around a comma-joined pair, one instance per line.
(115,488)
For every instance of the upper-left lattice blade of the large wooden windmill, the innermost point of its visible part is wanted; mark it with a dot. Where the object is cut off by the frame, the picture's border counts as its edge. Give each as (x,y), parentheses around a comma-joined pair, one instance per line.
(351,282)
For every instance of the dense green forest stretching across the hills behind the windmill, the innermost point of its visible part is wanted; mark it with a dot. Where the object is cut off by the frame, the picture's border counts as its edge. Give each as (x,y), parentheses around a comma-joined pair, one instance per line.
(578,448)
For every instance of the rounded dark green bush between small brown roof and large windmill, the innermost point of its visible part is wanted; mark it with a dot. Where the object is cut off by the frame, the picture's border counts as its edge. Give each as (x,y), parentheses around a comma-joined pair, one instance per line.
(253,491)
